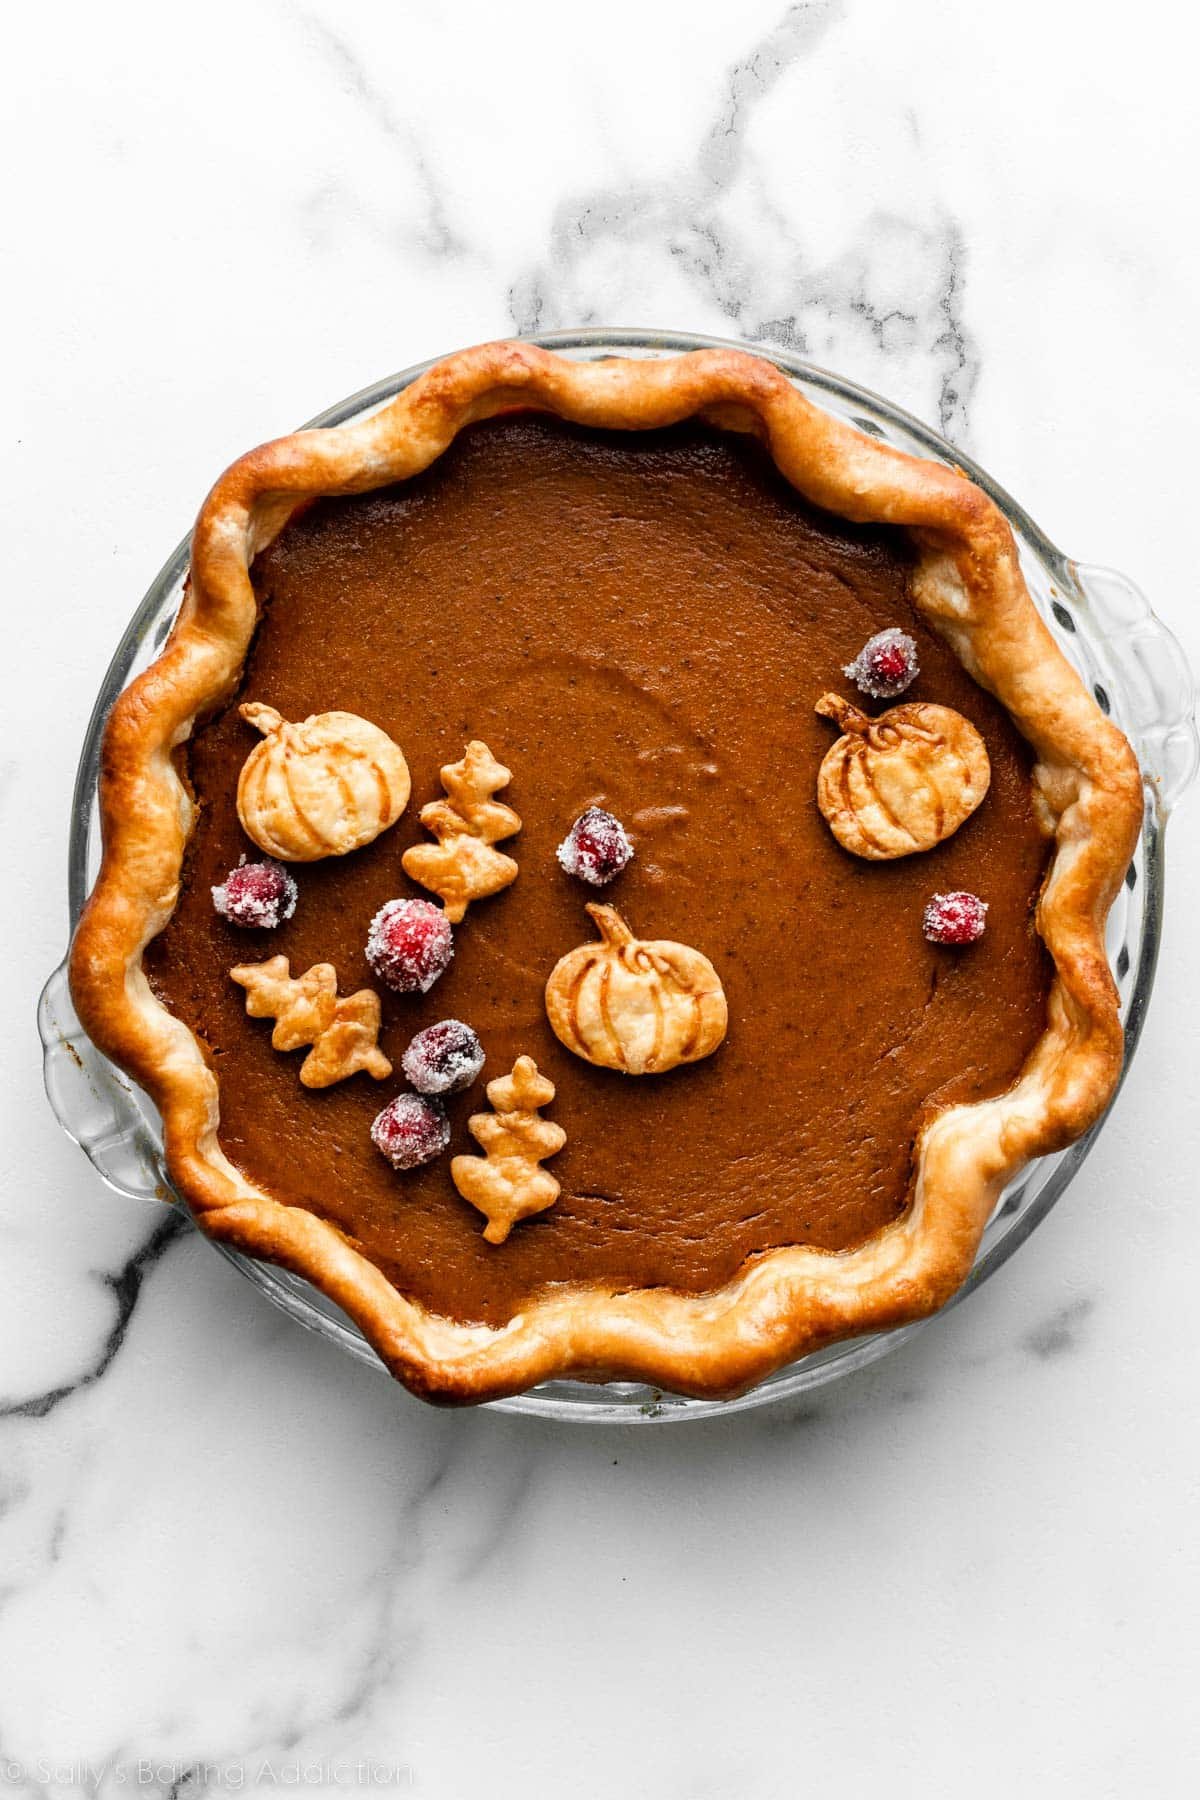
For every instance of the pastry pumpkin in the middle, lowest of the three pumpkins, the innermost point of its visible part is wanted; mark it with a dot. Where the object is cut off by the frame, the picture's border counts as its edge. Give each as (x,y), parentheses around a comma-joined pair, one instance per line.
(636,1007)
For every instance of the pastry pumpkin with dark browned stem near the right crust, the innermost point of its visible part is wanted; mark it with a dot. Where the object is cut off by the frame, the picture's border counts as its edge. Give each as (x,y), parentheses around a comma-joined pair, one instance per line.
(902,782)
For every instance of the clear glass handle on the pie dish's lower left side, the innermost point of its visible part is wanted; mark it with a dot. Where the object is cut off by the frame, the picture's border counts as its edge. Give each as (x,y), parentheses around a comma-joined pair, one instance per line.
(93,1102)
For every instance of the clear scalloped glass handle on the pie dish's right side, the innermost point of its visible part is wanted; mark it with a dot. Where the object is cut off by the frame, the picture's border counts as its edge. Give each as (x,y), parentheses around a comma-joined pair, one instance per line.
(1156,681)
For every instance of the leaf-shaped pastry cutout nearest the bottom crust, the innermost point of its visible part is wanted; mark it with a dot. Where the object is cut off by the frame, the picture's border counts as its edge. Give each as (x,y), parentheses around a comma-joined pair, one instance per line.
(506,1182)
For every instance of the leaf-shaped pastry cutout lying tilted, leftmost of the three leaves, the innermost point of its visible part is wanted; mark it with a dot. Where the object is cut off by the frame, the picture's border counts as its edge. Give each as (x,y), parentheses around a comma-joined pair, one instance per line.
(307,1011)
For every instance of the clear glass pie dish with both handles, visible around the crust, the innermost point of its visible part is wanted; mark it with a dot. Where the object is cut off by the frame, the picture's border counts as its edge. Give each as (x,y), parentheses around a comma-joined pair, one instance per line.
(1104,625)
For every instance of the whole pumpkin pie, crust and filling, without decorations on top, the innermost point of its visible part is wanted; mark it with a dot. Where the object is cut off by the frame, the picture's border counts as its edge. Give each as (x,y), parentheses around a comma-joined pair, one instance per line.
(632,582)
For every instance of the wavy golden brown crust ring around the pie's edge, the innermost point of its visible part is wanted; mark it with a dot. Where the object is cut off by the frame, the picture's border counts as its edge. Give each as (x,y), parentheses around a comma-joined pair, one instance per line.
(785,1302)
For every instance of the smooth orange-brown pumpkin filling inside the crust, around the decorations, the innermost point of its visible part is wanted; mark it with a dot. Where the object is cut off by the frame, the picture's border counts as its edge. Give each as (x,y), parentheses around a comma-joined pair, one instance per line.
(641,624)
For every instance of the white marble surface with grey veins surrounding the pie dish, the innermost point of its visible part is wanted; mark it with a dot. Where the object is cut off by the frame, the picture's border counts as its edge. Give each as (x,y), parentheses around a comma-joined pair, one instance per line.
(229,1558)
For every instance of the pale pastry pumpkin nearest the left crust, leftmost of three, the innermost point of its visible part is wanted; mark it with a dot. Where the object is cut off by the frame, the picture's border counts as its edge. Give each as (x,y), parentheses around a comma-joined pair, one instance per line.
(321,787)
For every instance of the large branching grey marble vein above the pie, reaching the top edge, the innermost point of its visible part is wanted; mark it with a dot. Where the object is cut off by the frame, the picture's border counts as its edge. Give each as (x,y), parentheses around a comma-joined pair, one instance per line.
(895,300)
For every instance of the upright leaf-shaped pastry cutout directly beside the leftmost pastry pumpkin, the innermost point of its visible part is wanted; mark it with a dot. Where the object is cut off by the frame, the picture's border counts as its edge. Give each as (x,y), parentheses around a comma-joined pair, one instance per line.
(463,867)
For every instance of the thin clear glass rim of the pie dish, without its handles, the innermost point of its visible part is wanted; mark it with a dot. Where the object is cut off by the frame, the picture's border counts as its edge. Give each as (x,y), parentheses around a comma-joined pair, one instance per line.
(809,1372)
